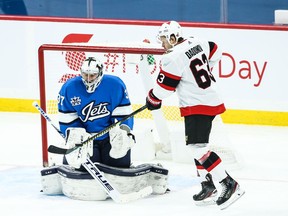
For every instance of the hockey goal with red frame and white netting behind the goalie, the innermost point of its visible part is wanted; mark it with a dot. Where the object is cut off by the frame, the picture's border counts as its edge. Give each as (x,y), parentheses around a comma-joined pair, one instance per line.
(137,65)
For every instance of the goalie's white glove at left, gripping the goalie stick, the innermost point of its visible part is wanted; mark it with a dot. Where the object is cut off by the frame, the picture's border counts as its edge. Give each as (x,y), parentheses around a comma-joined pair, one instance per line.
(74,137)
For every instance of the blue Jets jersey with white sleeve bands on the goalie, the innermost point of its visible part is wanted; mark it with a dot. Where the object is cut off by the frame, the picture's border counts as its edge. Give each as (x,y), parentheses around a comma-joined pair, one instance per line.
(93,111)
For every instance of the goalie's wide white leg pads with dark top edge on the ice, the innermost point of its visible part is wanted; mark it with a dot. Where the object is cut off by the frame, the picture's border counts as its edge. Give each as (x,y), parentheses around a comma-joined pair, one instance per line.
(80,185)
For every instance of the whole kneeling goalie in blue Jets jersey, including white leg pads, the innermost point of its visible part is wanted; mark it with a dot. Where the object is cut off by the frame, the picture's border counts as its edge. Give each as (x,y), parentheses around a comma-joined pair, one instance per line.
(88,104)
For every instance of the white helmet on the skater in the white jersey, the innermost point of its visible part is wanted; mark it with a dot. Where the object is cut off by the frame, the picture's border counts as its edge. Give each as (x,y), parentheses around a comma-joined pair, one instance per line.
(170,28)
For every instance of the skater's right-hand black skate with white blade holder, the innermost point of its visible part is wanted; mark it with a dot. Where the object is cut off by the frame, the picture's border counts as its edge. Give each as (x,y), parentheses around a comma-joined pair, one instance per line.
(230,192)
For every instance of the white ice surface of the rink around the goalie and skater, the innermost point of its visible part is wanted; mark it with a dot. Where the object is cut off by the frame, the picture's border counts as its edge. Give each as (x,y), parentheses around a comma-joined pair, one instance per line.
(263,175)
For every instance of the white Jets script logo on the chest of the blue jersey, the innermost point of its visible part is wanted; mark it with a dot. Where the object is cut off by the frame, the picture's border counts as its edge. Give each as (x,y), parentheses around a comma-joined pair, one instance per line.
(92,112)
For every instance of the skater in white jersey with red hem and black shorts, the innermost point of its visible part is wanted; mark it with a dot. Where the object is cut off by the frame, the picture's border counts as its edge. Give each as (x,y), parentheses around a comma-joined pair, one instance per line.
(186,69)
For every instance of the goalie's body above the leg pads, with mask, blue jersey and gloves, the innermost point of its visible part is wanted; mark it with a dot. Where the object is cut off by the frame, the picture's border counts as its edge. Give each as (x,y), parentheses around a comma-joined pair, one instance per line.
(88,104)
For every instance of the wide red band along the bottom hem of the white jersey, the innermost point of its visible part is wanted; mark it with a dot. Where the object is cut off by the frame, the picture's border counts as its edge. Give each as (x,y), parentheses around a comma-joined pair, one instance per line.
(202,110)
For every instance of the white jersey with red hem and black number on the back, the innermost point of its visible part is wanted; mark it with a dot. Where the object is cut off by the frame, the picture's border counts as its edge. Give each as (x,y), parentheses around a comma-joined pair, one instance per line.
(186,69)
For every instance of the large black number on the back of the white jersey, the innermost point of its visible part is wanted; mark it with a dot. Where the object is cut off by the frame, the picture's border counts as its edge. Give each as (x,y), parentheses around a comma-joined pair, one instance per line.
(202,76)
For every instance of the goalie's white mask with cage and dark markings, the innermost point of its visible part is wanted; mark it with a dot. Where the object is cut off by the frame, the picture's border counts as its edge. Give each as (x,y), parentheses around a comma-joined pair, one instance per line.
(92,69)
